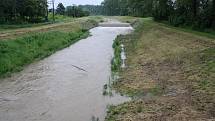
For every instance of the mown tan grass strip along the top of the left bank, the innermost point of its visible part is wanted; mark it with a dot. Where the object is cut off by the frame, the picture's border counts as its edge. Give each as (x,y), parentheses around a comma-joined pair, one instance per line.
(62,25)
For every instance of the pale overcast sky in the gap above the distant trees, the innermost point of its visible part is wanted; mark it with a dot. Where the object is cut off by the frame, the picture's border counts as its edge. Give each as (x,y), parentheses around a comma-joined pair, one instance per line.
(78,2)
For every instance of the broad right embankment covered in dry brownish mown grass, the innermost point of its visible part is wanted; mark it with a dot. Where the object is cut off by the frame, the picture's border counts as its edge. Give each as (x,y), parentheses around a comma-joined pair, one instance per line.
(170,75)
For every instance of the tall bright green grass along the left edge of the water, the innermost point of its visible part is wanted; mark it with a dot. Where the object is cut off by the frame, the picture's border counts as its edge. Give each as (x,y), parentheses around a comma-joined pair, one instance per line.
(14,54)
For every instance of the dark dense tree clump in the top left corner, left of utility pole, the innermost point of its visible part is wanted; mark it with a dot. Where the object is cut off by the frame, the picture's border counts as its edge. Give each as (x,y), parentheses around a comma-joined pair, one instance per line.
(22,10)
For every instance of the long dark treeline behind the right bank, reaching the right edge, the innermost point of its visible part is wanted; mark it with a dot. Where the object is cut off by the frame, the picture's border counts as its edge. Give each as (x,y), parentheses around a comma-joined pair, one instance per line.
(198,14)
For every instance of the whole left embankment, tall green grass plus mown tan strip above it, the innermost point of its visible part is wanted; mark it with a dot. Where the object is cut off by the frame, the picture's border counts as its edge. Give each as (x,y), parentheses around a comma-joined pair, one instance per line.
(32,44)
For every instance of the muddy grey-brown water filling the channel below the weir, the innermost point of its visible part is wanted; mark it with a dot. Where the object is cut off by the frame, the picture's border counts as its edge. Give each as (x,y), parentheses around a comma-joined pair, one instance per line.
(66,86)
